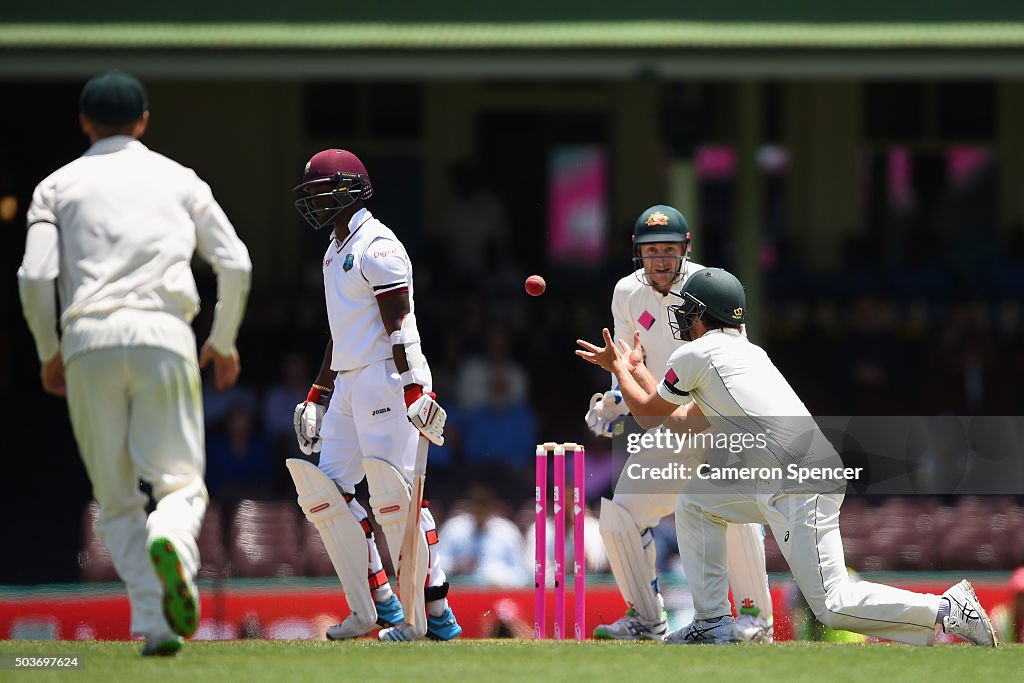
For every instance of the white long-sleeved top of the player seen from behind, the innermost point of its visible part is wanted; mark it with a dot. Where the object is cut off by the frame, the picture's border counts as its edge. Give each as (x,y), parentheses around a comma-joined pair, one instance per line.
(117,229)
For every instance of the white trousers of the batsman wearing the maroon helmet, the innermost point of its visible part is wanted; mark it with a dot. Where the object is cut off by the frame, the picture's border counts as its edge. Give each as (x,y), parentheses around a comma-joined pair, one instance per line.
(367,419)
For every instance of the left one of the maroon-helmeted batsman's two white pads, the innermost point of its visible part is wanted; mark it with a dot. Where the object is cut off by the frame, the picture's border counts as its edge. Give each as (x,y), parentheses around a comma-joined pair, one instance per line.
(344,537)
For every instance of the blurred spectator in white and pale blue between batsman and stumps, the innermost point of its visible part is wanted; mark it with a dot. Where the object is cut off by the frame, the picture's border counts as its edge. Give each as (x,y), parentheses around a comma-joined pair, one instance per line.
(484,546)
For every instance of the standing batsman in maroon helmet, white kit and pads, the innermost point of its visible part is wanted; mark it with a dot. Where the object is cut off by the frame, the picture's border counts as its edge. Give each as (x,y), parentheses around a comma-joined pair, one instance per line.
(368,408)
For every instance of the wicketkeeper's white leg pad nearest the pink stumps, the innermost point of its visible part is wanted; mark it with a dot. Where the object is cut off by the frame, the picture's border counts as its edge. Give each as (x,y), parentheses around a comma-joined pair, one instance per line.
(634,574)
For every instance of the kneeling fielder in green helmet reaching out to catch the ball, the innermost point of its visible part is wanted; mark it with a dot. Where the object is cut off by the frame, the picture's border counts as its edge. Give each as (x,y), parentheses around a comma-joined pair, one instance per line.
(734,382)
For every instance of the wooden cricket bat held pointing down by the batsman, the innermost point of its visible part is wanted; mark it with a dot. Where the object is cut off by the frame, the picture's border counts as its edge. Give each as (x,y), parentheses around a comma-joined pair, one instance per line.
(413,558)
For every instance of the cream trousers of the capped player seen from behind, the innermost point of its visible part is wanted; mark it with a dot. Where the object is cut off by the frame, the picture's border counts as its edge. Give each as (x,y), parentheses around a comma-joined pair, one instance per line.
(138,414)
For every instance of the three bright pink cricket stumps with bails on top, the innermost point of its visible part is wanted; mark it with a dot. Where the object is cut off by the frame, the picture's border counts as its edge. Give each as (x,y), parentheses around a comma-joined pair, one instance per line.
(541,533)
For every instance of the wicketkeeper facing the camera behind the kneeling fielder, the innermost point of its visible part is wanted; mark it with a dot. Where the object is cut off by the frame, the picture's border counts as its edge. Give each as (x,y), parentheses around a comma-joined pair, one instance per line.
(639,309)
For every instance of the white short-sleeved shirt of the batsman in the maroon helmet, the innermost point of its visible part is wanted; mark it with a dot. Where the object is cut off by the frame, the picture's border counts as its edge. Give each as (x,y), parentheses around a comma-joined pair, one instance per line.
(369,264)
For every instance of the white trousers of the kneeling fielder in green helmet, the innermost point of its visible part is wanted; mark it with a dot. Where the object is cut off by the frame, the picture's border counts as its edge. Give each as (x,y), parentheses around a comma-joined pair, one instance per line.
(806,527)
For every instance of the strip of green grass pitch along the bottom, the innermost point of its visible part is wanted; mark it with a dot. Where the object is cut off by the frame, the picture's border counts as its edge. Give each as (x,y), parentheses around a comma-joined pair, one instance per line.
(521,661)
